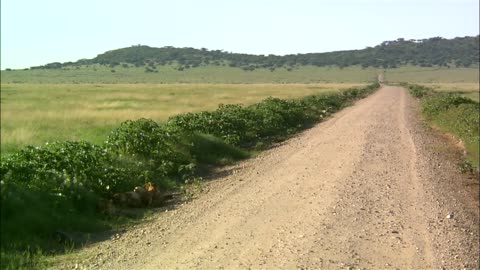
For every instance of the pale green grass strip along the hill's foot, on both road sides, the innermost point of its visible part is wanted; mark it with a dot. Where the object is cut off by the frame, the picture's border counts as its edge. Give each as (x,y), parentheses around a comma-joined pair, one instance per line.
(96,74)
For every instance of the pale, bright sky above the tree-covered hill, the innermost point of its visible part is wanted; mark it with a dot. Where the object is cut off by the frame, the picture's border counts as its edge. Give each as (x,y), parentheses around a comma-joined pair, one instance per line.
(36,32)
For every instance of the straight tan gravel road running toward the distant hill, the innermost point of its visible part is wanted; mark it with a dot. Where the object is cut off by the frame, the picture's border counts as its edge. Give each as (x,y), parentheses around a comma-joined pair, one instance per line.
(367,189)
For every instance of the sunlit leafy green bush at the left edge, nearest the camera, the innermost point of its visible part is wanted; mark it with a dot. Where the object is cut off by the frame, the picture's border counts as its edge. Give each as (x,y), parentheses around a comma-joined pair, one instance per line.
(66,168)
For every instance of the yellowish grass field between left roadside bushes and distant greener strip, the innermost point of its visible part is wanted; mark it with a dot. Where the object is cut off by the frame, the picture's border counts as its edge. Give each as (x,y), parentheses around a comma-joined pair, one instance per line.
(39,113)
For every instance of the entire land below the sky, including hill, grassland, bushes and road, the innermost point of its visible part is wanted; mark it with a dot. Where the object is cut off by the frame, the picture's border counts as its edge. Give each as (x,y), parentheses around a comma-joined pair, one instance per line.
(183,158)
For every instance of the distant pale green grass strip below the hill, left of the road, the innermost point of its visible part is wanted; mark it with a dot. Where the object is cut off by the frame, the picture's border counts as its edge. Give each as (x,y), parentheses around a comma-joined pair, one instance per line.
(202,74)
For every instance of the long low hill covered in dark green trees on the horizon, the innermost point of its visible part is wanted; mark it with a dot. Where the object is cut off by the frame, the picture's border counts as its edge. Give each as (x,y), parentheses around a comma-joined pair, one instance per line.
(437,51)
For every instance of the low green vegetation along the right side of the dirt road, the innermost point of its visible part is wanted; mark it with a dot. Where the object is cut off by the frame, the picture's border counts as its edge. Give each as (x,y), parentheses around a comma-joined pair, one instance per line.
(453,113)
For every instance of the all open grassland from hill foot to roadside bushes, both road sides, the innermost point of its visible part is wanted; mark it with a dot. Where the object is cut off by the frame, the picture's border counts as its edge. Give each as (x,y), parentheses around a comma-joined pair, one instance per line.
(86,103)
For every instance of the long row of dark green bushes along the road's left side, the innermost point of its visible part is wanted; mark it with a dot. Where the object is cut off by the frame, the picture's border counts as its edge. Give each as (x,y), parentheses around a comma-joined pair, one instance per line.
(56,187)
